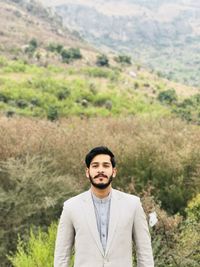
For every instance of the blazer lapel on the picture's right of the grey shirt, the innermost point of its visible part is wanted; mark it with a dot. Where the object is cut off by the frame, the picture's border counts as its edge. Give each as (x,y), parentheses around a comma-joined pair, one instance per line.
(114,218)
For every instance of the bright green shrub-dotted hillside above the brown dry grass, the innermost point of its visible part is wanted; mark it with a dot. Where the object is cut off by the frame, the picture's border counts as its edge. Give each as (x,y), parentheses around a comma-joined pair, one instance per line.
(89,90)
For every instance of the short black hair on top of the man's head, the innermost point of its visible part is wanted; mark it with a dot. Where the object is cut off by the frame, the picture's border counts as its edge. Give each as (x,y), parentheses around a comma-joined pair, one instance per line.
(97,151)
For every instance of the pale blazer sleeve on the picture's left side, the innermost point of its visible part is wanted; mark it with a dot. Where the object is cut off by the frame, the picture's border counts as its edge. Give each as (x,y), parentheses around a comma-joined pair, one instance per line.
(64,239)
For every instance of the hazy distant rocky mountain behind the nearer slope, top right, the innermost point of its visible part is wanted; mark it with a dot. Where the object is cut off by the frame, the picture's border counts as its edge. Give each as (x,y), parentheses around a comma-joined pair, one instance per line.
(163,35)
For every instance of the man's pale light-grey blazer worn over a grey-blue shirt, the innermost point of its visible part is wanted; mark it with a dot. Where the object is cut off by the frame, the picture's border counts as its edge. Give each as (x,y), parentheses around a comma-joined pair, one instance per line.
(78,228)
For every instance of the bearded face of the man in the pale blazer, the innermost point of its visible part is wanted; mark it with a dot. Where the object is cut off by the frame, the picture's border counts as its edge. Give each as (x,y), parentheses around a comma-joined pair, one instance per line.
(101,171)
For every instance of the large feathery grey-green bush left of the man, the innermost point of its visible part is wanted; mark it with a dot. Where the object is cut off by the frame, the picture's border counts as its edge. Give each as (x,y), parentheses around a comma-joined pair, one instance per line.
(28,197)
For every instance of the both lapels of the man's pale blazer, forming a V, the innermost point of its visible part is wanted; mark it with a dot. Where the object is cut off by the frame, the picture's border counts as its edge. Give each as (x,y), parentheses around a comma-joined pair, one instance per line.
(91,219)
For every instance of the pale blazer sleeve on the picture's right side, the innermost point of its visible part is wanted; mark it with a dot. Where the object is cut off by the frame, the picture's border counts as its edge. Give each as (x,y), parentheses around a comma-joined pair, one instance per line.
(142,238)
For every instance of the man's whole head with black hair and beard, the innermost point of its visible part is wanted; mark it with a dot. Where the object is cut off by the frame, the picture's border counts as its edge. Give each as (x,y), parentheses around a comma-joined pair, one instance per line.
(100,162)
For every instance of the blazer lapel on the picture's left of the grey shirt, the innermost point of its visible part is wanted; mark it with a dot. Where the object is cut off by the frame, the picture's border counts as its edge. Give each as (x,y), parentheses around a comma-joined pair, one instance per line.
(91,219)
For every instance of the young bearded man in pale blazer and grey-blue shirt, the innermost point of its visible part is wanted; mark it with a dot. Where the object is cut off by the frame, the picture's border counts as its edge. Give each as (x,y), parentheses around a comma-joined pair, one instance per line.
(102,223)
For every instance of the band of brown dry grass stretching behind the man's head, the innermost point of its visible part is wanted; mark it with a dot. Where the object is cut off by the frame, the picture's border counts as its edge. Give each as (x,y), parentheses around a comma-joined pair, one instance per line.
(161,144)
